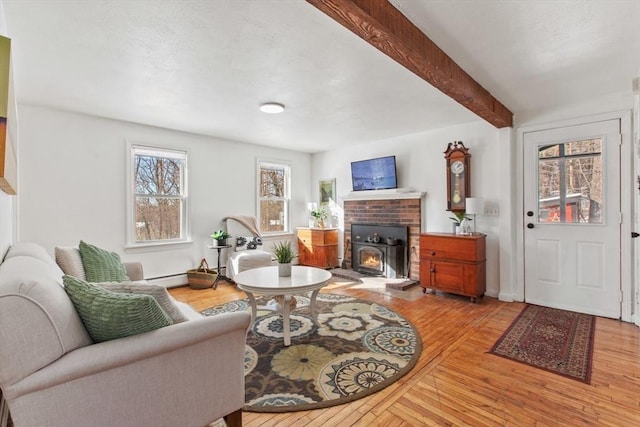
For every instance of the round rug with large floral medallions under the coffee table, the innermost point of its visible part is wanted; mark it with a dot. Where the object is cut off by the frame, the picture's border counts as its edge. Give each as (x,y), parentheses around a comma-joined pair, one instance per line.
(358,349)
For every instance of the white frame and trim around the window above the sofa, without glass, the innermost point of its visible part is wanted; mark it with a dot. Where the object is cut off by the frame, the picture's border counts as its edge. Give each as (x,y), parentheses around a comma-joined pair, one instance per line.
(134,149)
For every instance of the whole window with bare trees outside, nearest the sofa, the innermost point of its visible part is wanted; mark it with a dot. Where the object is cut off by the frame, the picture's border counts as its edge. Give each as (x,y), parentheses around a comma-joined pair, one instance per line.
(158,203)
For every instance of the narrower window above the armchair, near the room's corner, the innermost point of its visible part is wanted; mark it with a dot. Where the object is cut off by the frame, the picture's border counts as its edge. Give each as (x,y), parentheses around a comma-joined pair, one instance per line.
(273,196)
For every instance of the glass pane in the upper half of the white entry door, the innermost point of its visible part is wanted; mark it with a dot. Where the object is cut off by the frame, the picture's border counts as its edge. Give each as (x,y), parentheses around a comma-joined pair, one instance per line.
(570,182)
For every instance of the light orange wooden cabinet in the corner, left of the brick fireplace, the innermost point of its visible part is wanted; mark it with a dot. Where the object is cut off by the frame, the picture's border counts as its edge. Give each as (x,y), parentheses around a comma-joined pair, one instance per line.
(318,247)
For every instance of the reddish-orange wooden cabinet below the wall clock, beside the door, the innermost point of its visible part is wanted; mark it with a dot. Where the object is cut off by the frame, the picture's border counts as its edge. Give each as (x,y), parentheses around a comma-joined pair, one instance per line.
(453,263)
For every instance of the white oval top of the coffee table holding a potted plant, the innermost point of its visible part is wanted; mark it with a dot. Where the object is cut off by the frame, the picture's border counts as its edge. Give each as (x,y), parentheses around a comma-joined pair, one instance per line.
(265,280)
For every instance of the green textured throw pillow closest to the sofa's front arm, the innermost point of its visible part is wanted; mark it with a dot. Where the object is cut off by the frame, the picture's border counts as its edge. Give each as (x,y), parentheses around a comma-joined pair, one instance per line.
(109,315)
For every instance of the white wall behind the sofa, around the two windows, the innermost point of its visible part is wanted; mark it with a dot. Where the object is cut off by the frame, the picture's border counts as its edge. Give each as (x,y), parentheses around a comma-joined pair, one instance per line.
(72,184)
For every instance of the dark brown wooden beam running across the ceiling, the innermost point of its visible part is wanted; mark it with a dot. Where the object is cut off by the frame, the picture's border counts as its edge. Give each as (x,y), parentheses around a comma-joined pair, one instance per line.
(384,27)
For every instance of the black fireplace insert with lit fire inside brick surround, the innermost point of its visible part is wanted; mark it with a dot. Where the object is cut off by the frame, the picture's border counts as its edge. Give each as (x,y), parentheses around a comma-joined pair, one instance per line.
(379,250)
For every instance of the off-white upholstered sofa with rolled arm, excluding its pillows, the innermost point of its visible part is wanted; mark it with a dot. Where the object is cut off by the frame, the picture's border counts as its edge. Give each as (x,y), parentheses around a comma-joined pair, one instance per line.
(51,374)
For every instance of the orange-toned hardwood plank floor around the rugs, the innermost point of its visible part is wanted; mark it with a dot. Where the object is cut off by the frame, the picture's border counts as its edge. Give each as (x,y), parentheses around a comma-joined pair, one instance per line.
(456,382)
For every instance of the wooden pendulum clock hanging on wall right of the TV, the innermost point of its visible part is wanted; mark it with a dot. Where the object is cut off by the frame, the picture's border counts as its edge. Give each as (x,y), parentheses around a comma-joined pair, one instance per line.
(458,176)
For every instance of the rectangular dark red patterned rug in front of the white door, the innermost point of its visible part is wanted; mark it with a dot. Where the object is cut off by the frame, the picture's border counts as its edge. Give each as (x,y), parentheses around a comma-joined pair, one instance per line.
(558,341)
